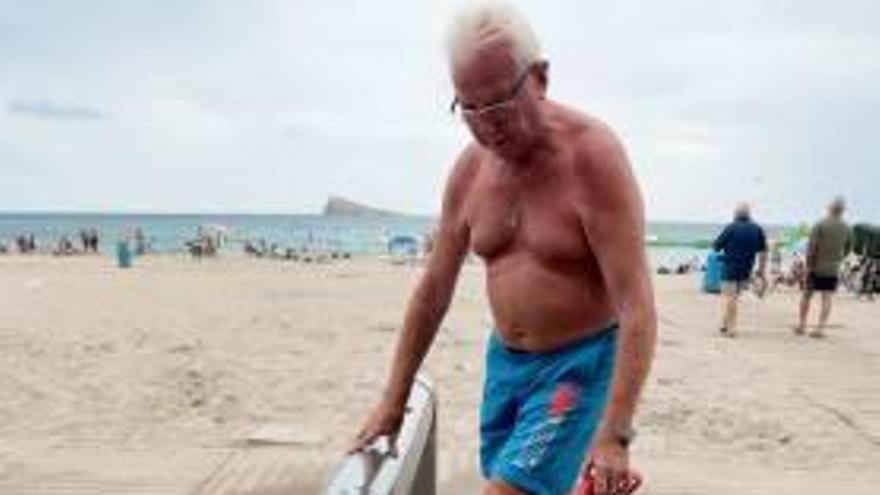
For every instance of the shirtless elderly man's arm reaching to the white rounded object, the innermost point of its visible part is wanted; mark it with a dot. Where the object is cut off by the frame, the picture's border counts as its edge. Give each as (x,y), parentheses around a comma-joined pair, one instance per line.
(427,306)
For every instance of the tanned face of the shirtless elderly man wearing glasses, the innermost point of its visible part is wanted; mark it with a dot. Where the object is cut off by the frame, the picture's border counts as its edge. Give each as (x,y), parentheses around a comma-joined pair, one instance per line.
(497,98)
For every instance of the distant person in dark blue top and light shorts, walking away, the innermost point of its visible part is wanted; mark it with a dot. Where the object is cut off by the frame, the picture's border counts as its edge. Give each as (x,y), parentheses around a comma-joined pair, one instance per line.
(740,242)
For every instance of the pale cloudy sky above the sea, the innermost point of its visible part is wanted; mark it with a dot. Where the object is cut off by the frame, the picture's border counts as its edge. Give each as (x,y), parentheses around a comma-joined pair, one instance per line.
(269,106)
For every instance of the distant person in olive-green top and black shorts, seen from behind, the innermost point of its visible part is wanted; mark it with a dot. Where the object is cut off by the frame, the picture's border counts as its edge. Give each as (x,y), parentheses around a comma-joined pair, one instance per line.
(830,241)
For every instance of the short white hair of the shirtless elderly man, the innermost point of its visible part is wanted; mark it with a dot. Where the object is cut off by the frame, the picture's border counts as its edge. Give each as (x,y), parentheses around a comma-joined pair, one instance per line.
(484,18)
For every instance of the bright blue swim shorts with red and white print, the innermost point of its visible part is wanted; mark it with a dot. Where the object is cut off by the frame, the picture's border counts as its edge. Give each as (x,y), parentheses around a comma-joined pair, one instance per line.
(540,411)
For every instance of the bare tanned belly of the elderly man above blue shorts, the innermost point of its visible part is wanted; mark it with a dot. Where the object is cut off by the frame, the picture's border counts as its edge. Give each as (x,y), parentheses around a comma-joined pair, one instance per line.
(540,309)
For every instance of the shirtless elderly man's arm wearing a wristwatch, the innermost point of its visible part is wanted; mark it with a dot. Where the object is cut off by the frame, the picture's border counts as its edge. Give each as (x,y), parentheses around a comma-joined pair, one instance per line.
(615,227)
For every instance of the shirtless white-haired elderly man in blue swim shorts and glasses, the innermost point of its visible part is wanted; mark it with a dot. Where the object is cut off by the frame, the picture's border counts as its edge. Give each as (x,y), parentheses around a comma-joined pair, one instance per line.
(546,197)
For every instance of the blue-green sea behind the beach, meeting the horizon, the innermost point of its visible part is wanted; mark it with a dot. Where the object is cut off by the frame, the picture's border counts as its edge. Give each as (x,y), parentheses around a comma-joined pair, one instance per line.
(669,241)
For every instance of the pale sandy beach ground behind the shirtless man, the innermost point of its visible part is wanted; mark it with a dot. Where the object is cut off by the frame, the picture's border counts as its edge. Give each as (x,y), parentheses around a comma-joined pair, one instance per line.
(152,380)
